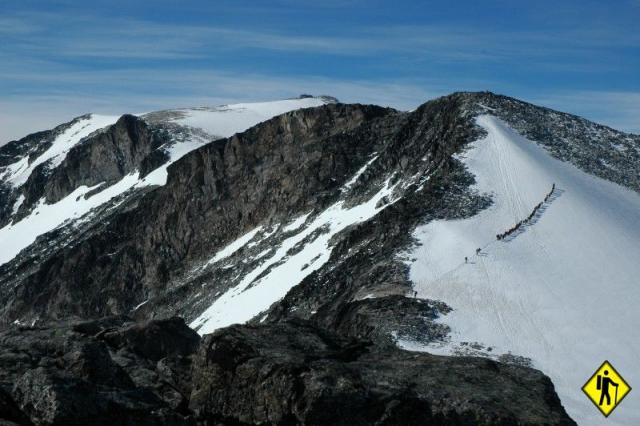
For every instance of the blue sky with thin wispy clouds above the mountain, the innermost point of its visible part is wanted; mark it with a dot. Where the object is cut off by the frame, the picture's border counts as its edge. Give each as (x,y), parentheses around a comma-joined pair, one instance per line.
(59,59)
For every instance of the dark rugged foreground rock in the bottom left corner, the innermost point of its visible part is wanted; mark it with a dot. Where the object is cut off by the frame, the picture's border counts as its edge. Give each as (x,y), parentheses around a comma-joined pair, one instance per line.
(104,372)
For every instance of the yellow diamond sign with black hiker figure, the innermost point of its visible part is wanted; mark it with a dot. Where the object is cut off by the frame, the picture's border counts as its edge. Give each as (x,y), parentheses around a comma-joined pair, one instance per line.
(606,388)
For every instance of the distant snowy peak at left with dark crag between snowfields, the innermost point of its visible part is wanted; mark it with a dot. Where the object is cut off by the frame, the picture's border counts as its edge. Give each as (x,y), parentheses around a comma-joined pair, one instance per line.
(110,156)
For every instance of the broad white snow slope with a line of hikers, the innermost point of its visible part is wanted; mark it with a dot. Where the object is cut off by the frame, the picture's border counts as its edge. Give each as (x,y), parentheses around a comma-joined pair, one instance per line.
(564,292)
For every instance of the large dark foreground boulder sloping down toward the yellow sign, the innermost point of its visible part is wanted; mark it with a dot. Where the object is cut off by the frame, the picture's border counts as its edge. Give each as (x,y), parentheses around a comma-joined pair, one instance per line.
(293,373)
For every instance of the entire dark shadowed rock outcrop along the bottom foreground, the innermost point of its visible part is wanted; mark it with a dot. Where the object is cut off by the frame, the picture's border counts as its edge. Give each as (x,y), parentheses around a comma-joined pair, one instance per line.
(112,371)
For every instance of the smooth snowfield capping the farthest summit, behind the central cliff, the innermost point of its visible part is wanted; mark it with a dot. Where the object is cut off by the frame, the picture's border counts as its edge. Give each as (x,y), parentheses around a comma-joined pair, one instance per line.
(226,120)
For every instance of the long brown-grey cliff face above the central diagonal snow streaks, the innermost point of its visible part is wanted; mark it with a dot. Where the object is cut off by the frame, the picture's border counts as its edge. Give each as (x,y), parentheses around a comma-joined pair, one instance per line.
(276,169)
